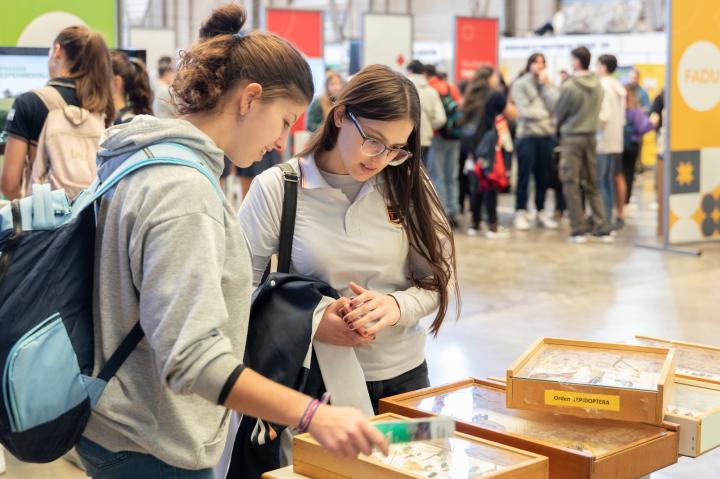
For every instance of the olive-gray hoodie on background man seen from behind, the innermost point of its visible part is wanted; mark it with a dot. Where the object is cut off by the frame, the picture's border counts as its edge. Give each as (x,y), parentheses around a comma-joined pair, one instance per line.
(578,108)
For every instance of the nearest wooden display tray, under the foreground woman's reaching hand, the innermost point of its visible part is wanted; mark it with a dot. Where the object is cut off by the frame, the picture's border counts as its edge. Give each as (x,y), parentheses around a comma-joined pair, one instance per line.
(309,459)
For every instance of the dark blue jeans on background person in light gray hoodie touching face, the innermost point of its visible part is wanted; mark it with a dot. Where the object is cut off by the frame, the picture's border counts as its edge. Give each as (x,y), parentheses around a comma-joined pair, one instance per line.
(535,157)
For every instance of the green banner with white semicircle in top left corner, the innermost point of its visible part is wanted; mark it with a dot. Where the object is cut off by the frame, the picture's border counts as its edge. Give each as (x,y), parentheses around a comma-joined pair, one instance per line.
(32,22)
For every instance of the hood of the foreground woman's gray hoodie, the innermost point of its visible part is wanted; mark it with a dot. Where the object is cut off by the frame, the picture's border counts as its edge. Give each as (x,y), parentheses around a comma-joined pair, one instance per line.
(121,141)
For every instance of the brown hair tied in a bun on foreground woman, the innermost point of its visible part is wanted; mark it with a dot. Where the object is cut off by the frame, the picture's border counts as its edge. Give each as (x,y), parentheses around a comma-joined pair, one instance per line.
(225,58)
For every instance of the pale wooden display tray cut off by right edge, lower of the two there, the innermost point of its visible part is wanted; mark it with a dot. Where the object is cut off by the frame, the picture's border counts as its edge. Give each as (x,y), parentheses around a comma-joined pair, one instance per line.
(695,406)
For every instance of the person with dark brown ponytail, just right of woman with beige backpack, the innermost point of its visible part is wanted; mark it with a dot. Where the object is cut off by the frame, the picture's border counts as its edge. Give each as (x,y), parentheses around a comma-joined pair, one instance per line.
(131,90)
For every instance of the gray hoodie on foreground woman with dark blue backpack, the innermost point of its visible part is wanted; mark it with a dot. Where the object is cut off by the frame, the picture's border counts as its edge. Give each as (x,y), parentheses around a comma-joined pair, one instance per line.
(170,254)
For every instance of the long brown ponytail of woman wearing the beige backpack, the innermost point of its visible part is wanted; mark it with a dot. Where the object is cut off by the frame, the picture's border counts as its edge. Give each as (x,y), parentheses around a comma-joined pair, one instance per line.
(88,61)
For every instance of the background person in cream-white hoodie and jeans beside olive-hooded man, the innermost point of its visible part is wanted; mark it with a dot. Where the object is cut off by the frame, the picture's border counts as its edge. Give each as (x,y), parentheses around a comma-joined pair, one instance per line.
(610,139)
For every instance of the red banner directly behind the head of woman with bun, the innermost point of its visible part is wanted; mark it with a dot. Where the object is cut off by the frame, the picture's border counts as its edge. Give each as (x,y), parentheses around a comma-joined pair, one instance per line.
(303,28)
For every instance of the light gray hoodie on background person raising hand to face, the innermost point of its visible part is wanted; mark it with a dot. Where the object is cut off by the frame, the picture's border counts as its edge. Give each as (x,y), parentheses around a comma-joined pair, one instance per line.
(535,103)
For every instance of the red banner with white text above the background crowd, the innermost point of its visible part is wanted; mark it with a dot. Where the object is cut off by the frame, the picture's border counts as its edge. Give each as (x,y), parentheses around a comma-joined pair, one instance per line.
(476,45)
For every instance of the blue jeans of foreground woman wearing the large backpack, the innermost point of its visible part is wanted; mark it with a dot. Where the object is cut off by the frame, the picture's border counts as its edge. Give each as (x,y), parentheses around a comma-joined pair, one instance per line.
(103,464)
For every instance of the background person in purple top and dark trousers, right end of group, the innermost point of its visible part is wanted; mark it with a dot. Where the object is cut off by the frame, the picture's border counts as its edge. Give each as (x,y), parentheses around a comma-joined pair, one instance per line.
(637,124)
